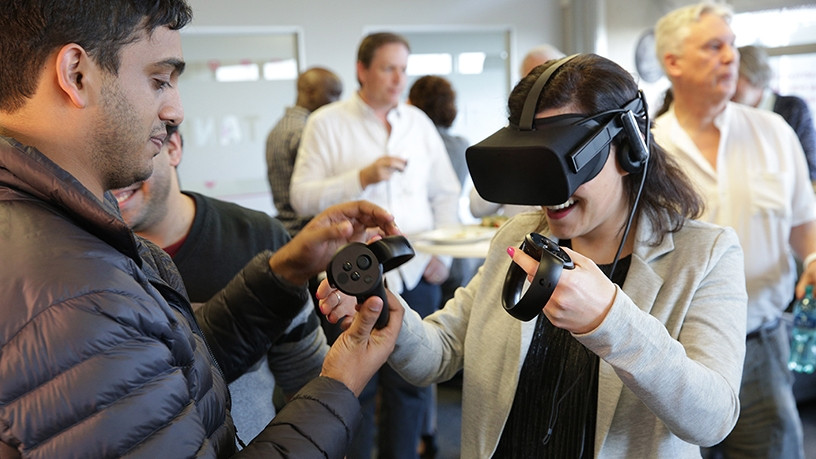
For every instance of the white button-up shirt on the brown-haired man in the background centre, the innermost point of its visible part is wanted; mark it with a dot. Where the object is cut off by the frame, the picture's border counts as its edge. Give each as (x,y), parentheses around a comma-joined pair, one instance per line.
(342,138)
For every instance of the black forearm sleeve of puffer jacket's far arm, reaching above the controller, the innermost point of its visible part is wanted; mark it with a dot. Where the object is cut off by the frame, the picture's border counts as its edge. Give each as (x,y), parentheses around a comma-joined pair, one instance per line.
(242,320)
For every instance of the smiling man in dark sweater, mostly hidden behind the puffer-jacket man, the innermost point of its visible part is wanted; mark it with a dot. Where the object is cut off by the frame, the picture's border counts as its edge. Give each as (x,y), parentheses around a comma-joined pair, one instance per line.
(210,241)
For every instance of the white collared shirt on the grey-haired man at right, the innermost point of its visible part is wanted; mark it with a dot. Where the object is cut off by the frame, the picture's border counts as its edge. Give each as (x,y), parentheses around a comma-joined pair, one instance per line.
(760,187)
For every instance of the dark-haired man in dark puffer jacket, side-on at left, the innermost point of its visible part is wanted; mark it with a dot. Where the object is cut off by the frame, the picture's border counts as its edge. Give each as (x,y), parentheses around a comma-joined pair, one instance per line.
(101,354)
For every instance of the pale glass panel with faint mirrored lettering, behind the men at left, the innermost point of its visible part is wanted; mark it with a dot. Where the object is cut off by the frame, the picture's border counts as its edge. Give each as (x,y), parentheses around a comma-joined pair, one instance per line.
(236,86)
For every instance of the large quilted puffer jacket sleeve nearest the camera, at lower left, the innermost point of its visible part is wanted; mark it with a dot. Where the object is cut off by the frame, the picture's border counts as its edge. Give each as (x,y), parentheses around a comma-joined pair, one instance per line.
(91,350)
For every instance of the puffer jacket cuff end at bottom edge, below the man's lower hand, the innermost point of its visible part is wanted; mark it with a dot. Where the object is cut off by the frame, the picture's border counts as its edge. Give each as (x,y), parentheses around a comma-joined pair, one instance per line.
(318,422)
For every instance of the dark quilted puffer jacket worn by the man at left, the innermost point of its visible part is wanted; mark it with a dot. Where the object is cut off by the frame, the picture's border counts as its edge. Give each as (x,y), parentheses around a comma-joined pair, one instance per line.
(101,354)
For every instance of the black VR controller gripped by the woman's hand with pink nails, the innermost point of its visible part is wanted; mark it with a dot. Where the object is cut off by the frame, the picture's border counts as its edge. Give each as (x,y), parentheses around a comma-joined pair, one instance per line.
(552,260)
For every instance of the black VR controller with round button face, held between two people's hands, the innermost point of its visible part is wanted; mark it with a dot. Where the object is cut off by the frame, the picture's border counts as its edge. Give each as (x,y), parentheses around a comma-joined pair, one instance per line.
(357,269)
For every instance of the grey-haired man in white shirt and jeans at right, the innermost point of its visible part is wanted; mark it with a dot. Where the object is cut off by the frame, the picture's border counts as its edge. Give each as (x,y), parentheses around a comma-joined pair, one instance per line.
(749,166)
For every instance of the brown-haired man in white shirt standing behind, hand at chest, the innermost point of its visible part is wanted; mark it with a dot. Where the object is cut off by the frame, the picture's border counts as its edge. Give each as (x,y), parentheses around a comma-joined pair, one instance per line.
(372,146)
